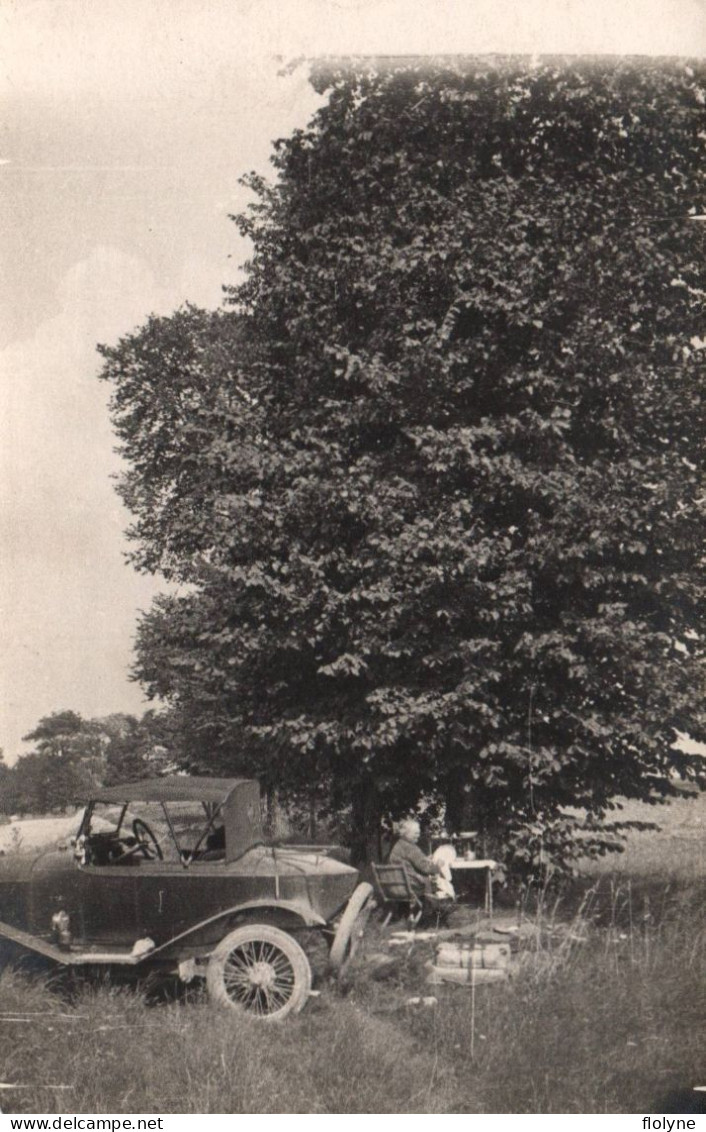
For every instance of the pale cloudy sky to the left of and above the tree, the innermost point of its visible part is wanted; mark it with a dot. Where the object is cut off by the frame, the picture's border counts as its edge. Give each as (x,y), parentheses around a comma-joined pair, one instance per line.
(125,132)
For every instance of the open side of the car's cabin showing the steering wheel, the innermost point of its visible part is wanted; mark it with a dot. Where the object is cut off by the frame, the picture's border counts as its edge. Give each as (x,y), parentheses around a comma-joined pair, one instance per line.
(179,828)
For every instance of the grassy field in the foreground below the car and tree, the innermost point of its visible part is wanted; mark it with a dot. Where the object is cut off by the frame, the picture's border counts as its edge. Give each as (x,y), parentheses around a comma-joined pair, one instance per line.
(602,1016)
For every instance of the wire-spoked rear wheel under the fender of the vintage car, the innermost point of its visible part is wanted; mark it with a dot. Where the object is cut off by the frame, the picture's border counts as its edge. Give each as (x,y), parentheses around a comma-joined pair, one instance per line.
(260,972)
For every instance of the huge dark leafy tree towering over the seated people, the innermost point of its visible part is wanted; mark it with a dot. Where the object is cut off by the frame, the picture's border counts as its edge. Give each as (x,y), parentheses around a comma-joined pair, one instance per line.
(432,486)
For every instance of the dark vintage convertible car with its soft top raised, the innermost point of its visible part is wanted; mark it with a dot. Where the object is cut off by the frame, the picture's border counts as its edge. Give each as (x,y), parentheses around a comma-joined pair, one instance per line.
(175,874)
